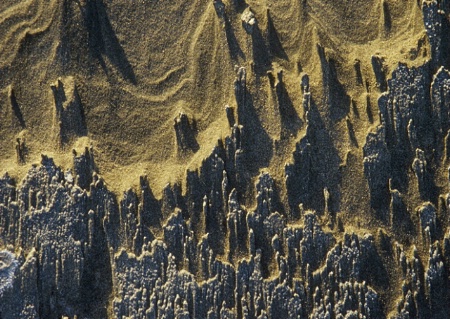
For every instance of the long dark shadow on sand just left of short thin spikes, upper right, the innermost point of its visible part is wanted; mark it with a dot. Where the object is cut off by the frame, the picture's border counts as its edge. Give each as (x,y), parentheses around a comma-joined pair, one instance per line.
(335,95)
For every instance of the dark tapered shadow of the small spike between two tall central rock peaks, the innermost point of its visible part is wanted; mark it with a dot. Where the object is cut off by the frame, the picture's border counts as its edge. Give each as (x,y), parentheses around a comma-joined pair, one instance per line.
(290,121)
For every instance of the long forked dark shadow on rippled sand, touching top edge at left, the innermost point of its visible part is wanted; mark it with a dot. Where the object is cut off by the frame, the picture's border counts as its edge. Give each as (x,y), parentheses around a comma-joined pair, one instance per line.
(102,39)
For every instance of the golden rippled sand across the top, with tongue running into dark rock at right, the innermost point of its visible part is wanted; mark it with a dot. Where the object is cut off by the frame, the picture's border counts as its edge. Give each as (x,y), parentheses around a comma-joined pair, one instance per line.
(131,68)
